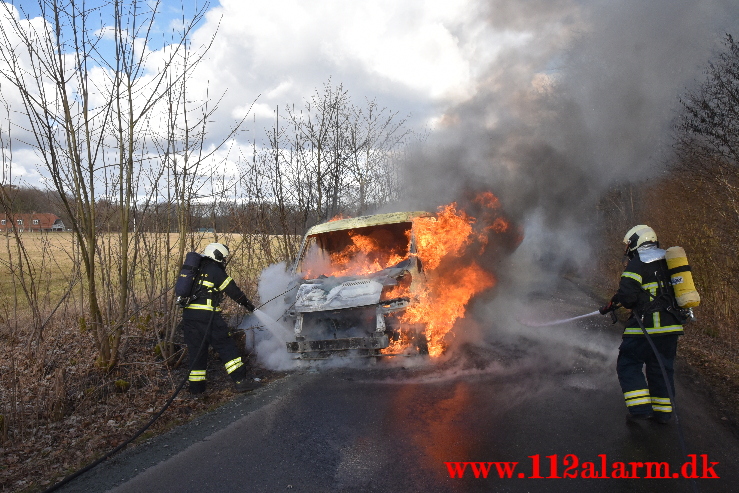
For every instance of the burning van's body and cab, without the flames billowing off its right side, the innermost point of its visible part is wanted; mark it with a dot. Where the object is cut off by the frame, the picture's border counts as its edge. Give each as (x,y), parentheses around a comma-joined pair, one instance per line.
(358,276)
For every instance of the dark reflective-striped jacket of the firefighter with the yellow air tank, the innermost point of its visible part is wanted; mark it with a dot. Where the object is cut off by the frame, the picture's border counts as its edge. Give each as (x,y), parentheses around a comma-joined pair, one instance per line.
(645,289)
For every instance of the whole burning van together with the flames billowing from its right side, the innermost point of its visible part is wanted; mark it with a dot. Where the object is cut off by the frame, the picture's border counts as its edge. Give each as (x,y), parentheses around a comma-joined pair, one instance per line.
(391,284)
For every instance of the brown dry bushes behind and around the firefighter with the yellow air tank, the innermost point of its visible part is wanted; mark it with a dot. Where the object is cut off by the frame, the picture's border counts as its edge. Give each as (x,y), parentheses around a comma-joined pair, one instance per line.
(684,211)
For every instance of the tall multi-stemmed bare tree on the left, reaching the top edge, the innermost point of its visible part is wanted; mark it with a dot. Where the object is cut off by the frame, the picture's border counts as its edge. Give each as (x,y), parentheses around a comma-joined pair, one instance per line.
(87,110)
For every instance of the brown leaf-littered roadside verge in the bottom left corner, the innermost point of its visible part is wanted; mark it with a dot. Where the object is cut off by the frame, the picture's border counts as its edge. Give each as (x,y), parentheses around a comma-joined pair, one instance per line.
(61,412)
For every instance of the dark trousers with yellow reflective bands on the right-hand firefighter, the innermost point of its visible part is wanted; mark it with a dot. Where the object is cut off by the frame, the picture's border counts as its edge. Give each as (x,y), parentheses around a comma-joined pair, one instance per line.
(647,396)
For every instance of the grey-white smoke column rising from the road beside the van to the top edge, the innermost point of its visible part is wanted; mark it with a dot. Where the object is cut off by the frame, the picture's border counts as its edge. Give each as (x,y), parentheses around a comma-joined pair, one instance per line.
(584,104)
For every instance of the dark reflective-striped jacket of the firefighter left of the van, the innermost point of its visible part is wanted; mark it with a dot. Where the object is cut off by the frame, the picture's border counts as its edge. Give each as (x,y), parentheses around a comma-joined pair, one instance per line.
(210,284)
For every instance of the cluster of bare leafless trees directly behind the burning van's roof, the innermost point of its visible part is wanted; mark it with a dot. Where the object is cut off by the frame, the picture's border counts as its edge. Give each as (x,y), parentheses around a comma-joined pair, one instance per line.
(338,158)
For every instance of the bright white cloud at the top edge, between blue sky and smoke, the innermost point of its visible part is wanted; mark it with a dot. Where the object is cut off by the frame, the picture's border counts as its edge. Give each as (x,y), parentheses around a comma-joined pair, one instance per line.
(409,43)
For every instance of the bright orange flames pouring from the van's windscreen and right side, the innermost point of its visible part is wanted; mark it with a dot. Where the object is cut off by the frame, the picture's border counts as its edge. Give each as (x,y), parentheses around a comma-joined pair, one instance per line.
(447,246)
